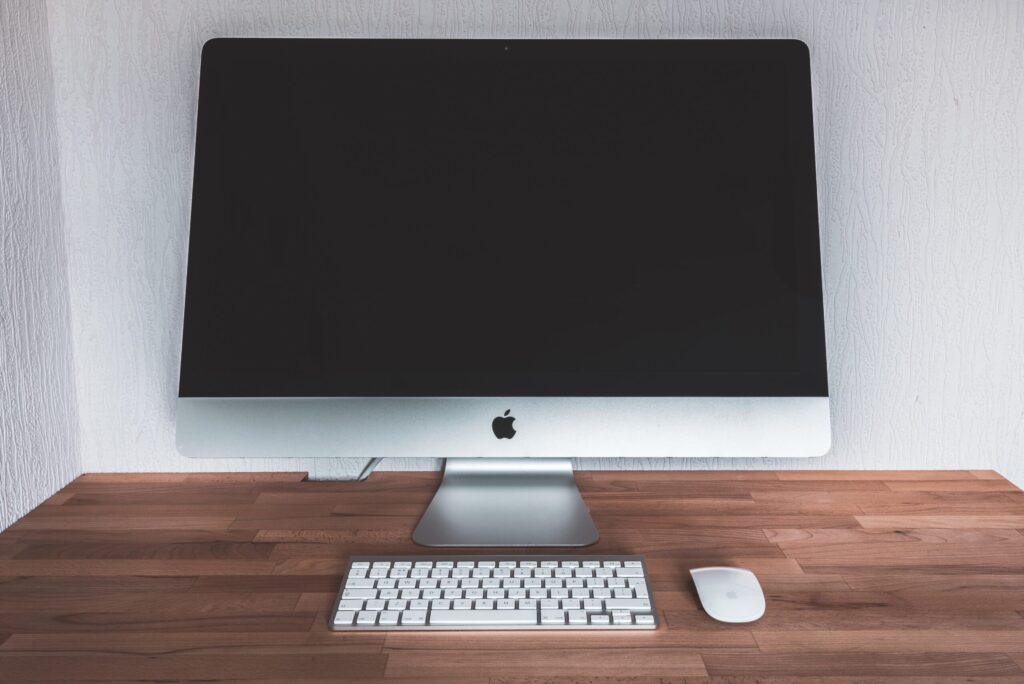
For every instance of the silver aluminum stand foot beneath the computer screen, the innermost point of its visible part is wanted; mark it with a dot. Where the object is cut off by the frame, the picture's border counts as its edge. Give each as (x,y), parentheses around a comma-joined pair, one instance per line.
(507,503)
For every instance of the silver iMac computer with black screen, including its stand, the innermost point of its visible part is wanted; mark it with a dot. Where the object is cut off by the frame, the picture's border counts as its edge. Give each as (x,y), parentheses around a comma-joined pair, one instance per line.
(506,254)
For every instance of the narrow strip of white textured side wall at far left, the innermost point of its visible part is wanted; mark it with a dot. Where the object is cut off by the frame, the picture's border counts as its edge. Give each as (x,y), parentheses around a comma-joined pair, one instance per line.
(38,427)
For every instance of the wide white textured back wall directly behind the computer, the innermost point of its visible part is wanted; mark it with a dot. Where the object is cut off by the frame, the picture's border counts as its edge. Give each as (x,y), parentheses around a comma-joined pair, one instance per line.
(920,114)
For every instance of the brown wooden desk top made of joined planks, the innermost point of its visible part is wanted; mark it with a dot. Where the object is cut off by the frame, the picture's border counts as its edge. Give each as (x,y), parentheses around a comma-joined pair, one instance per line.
(870,577)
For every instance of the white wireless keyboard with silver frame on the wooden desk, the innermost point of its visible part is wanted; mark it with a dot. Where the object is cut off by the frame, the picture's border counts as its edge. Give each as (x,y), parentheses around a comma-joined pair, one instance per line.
(495,593)
